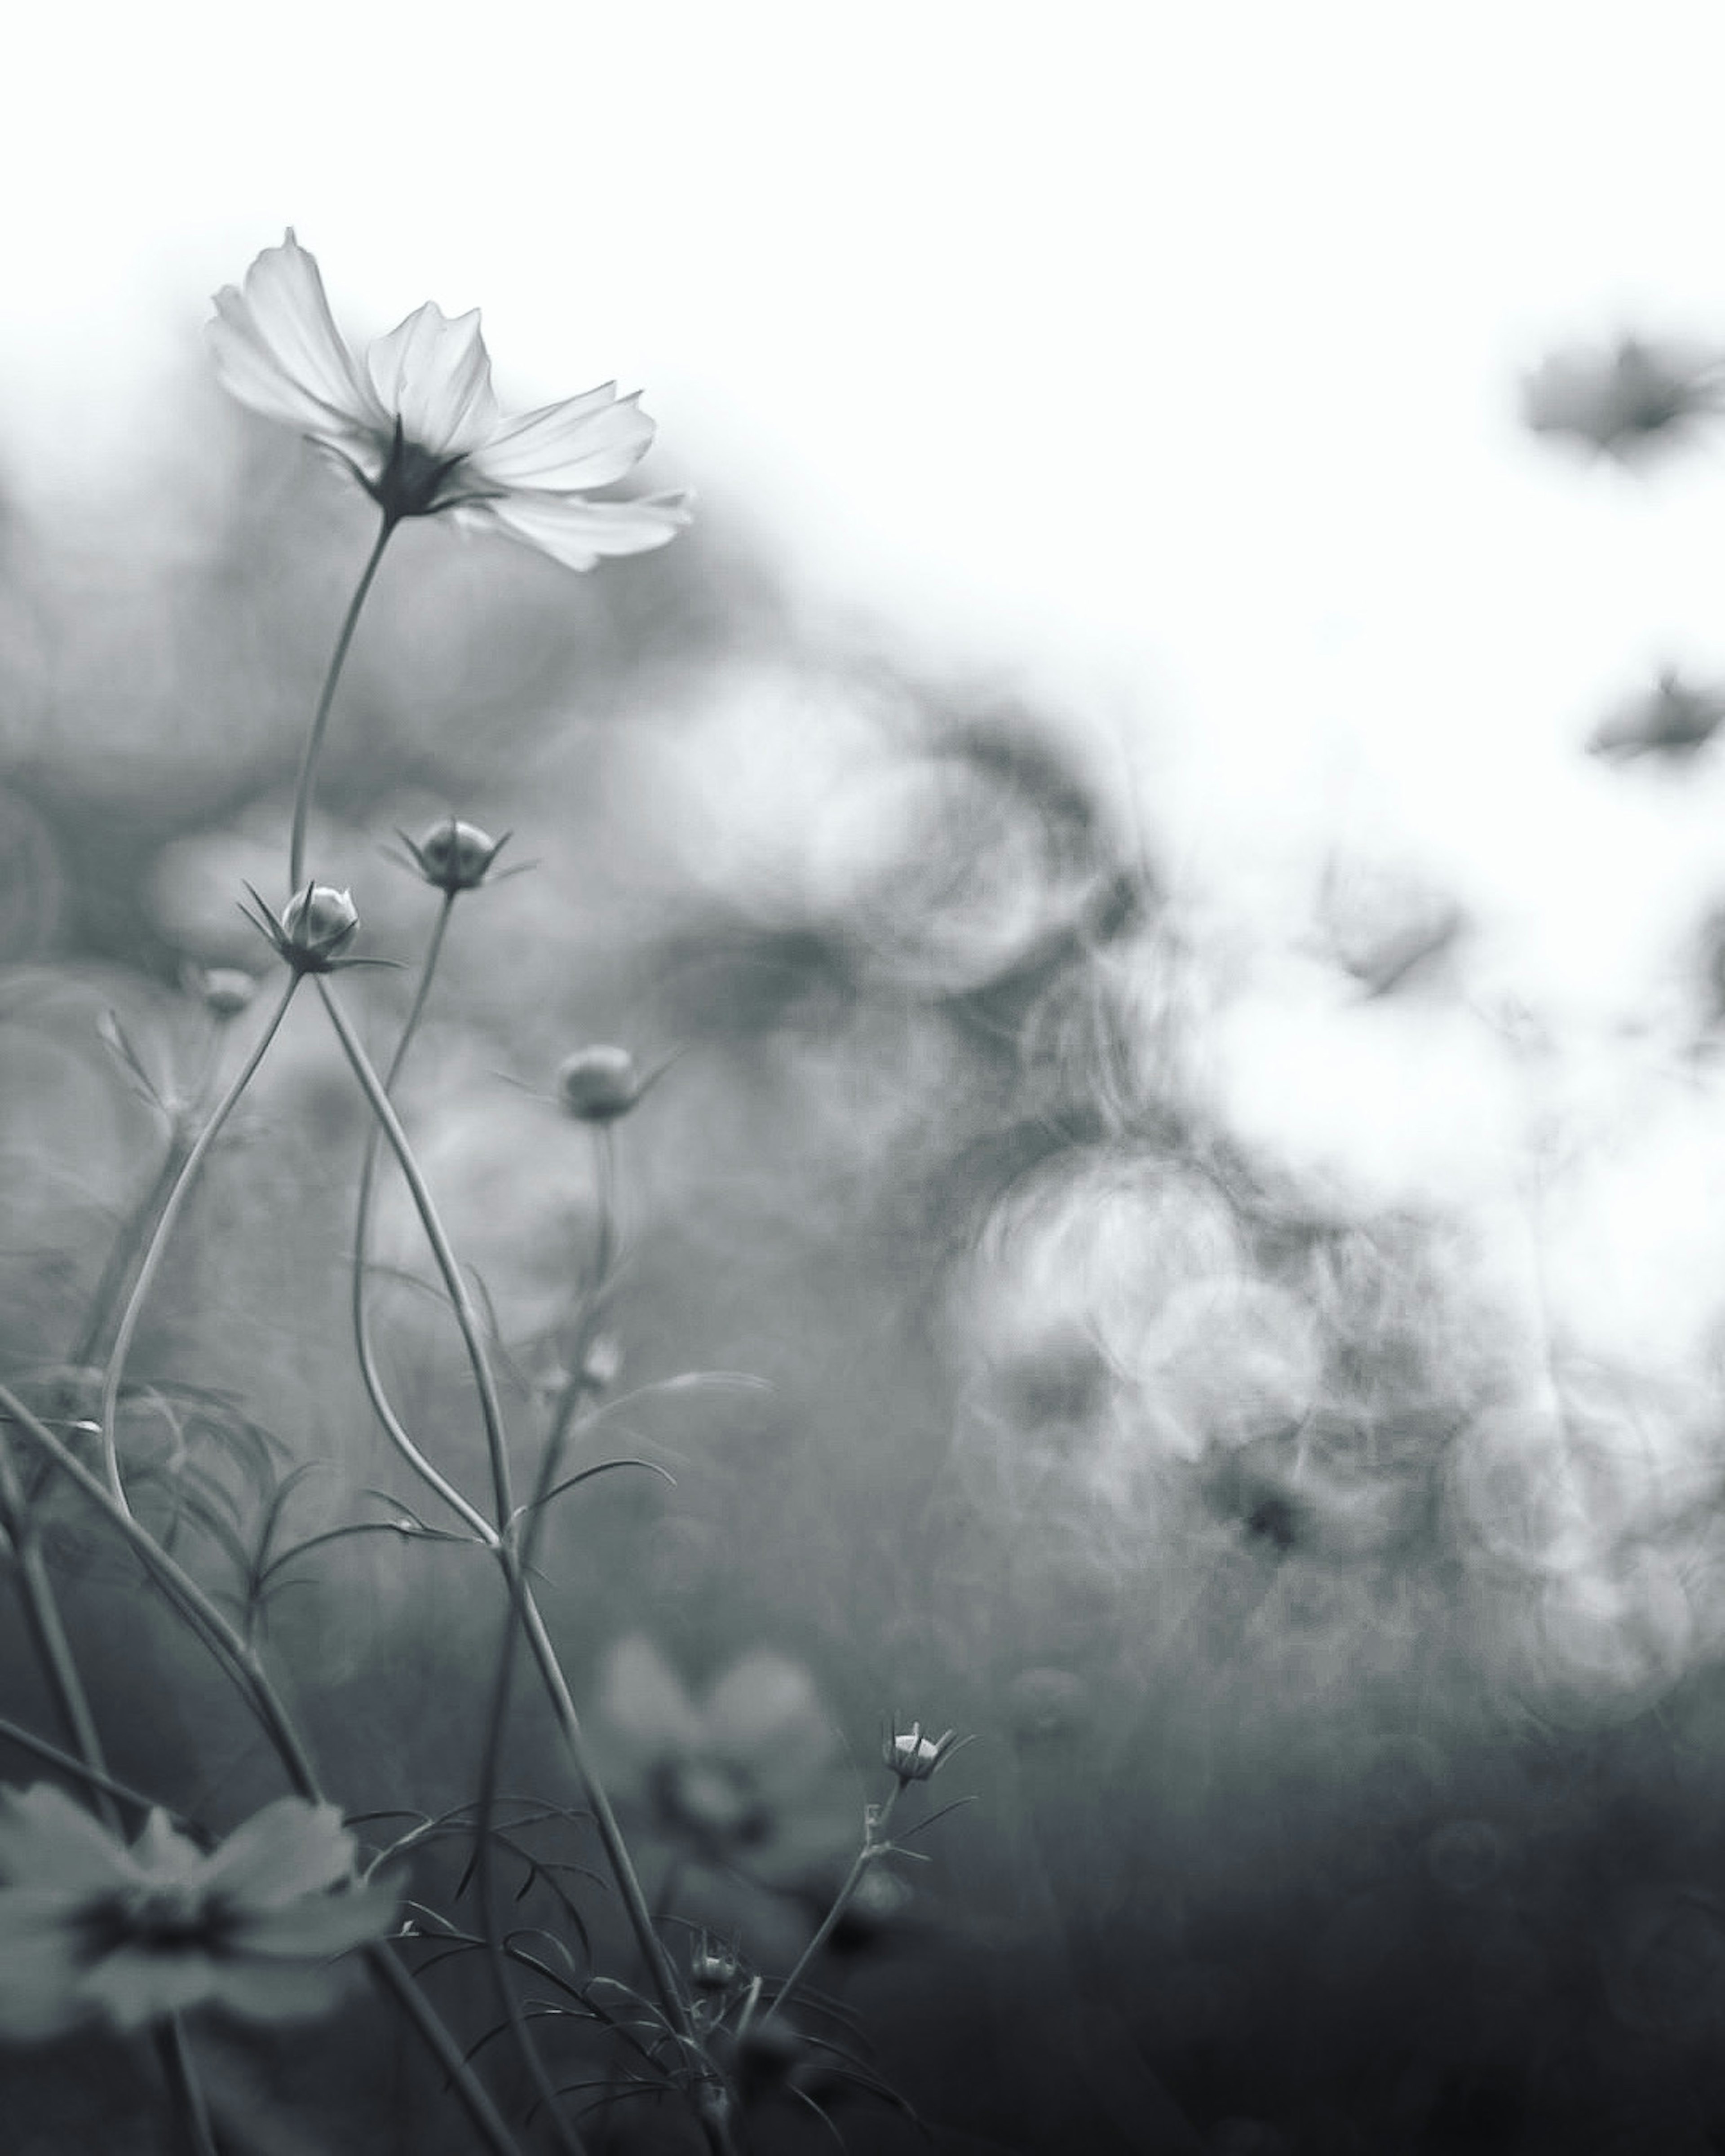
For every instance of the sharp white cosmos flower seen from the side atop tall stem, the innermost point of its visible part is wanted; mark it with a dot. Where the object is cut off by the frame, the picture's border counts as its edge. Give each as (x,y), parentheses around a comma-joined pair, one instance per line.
(417,424)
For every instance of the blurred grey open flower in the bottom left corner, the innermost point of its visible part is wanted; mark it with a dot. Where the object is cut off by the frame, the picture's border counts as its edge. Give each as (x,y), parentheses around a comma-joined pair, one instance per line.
(92,1929)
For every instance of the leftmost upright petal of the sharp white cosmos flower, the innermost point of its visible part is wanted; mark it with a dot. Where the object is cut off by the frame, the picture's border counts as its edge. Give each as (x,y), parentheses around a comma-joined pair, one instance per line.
(279,350)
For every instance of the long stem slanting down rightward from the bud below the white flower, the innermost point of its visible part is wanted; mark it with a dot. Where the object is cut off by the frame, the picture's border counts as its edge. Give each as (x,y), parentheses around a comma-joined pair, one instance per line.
(521,1592)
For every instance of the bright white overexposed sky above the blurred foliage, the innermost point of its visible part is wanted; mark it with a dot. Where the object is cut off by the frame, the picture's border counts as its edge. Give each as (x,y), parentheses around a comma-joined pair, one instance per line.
(1163,350)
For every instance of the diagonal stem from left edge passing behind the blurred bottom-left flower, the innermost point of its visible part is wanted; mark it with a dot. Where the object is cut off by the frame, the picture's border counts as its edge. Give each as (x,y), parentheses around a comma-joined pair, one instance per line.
(266,1704)
